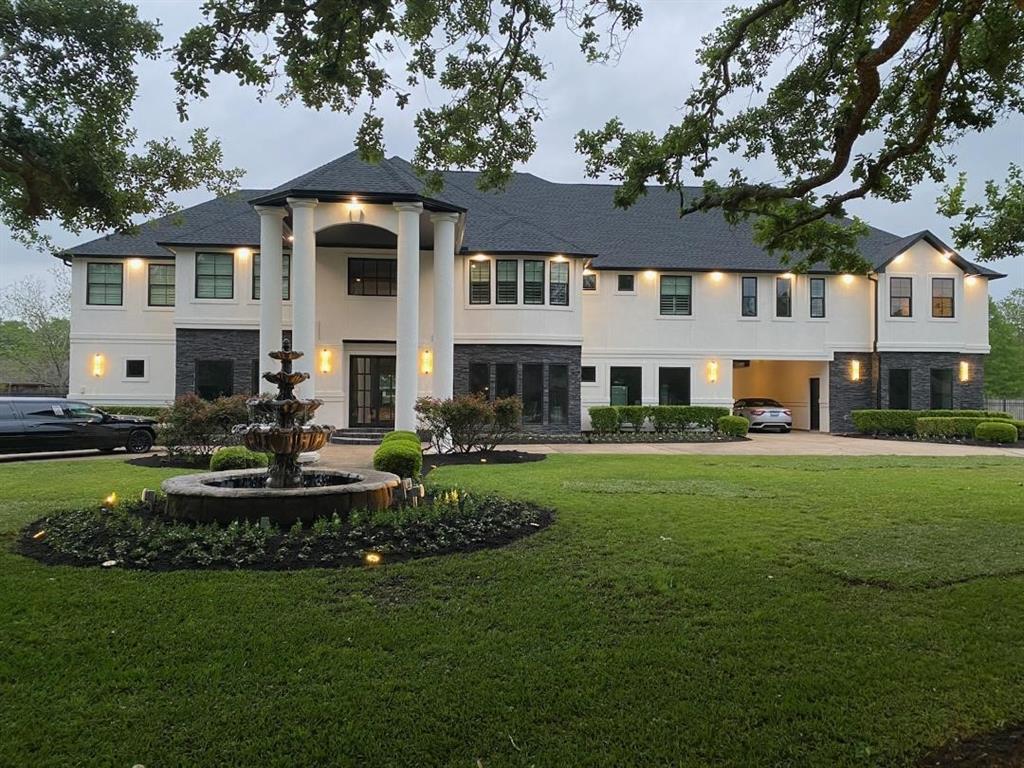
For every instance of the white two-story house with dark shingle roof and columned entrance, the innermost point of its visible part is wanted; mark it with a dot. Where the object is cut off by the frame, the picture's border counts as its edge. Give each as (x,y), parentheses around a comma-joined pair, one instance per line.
(544,291)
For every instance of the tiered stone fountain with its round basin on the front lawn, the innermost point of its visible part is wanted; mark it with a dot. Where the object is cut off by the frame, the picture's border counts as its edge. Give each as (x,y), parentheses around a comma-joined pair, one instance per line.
(285,492)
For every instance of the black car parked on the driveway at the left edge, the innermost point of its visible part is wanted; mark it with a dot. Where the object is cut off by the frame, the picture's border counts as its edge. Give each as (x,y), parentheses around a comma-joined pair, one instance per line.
(35,424)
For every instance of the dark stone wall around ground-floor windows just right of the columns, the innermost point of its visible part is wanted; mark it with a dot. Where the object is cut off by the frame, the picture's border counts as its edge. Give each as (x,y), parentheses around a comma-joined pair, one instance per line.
(525,354)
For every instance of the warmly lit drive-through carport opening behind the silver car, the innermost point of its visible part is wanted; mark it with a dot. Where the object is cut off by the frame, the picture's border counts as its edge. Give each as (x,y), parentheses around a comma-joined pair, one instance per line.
(801,387)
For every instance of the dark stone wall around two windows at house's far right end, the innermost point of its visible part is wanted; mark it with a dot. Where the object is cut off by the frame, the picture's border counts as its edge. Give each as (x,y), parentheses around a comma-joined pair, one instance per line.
(967,395)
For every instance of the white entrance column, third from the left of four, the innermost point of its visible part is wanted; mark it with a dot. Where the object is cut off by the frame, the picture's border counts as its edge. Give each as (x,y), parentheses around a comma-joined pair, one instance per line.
(408,326)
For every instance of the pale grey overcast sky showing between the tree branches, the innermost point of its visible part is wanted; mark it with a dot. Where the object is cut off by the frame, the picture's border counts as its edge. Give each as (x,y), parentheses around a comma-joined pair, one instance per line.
(274,144)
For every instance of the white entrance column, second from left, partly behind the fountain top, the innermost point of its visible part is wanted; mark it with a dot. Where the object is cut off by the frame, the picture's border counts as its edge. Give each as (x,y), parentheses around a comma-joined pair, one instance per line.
(305,290)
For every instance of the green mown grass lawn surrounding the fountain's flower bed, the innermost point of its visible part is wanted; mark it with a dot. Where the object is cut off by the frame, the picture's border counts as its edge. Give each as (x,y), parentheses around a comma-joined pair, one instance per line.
(682,611)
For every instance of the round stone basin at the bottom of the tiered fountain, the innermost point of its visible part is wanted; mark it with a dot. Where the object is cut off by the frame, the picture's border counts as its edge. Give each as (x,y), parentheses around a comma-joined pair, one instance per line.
(242,495)
